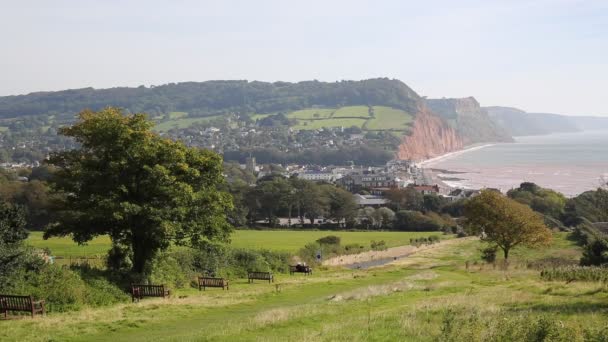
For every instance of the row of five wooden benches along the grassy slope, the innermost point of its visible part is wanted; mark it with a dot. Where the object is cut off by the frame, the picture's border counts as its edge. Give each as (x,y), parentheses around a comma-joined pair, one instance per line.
(139,291)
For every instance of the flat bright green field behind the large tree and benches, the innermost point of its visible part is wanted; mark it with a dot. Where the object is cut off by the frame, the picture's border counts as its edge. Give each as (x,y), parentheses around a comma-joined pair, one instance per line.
(279,240)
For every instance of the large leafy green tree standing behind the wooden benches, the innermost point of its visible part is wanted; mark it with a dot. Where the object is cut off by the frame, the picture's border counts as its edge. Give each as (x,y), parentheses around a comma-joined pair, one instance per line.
(141,190)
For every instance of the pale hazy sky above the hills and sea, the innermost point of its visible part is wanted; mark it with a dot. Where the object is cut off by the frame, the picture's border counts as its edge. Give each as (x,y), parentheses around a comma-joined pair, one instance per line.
(538,55)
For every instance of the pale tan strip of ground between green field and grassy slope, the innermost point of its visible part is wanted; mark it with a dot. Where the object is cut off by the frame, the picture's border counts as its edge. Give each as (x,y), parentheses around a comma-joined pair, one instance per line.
(391,253)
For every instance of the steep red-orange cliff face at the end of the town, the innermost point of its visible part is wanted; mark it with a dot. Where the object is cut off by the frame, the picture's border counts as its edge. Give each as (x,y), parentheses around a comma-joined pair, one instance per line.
(430,137)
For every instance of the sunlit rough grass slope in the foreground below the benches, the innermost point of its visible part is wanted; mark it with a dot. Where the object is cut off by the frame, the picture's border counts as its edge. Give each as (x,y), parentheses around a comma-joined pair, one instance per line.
(419,298)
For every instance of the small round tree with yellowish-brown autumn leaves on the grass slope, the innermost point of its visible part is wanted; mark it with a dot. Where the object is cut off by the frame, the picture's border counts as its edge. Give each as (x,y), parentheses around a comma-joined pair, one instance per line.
(505,222)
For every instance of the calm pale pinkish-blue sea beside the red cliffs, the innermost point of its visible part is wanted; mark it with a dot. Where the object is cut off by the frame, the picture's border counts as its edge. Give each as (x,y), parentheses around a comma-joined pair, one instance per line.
(570,163)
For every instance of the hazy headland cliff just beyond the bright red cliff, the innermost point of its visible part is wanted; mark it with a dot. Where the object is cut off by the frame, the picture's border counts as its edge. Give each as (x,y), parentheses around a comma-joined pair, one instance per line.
(469,119)
